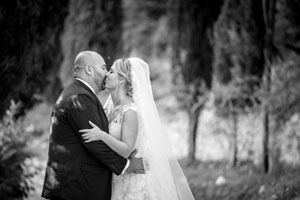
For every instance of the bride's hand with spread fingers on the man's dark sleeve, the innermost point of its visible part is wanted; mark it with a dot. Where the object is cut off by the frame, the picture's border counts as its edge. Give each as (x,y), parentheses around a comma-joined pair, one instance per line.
(92,134)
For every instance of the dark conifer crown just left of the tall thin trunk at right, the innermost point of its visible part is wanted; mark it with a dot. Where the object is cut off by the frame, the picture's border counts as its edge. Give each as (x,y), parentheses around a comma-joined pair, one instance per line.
(237,39)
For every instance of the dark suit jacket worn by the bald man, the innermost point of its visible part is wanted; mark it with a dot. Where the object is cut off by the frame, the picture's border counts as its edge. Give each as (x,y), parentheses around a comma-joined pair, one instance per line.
(78,170)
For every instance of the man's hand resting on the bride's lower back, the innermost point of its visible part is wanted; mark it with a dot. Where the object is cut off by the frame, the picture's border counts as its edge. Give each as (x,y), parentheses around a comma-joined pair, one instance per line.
(137,165)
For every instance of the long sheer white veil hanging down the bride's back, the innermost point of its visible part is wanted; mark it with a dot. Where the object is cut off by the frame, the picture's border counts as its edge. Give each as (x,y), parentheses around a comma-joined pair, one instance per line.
(166,177)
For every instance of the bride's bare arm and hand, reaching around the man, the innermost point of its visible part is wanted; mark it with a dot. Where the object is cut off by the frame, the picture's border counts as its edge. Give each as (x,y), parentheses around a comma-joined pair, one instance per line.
(128,135)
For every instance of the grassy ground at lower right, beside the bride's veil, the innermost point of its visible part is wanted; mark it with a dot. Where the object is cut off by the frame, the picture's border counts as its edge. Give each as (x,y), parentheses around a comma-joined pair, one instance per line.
(241,183)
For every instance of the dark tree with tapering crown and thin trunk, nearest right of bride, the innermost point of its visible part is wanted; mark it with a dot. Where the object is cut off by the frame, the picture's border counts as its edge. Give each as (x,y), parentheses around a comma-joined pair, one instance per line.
(191,23)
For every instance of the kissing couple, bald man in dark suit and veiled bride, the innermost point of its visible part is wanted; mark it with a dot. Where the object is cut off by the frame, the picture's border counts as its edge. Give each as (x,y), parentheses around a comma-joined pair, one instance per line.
(115,151)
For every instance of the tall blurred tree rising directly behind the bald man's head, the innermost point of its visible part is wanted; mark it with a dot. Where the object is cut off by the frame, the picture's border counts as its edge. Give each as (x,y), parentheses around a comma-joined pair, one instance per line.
(91,25)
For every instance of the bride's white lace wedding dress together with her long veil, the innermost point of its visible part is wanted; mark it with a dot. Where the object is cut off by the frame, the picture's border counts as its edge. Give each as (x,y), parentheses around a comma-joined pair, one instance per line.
(164,180)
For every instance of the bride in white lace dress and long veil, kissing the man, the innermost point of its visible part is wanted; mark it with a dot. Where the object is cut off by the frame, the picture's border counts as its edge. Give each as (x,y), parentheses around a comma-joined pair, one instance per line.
(134,123)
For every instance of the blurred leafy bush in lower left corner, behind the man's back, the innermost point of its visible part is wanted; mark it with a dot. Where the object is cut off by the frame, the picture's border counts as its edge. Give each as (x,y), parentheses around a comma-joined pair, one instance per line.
(15,173)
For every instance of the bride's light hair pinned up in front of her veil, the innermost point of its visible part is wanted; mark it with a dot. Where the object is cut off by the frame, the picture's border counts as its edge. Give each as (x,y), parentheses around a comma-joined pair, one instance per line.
(123,68)
